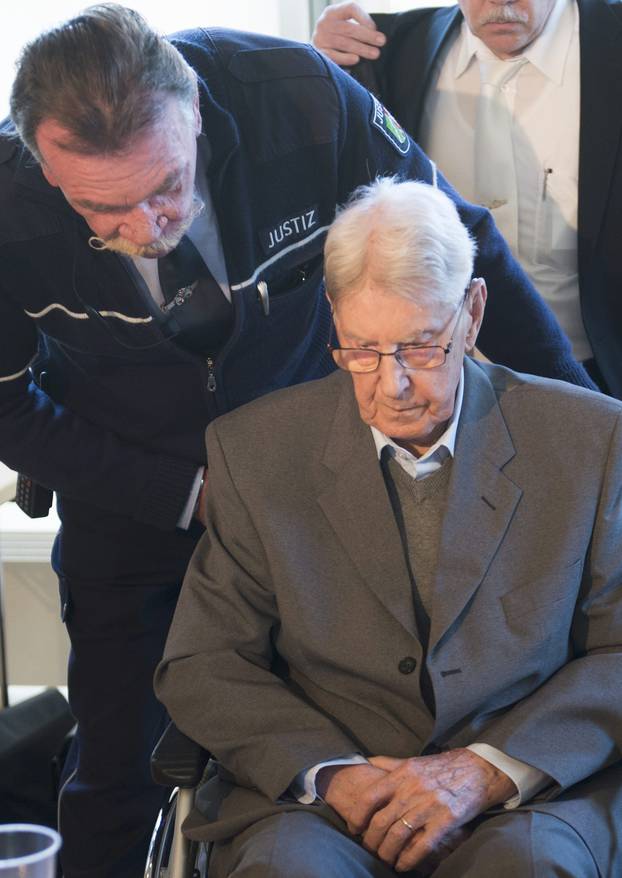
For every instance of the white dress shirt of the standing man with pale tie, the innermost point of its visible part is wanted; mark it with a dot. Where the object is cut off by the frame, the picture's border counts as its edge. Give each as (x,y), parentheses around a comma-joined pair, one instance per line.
(544,100)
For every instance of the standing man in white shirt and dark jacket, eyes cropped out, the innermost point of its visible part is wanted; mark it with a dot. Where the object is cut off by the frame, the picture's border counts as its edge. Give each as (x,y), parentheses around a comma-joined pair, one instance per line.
(544,160)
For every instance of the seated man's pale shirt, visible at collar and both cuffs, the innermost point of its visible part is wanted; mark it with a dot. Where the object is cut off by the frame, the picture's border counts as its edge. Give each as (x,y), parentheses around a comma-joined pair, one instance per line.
(528,780)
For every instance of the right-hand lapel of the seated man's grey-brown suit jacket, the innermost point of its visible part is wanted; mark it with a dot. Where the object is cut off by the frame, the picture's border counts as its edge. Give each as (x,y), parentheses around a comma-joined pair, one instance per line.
(481,503)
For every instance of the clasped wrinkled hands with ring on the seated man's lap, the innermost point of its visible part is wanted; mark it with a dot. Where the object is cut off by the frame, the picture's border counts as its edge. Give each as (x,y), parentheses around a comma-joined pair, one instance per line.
(412,812)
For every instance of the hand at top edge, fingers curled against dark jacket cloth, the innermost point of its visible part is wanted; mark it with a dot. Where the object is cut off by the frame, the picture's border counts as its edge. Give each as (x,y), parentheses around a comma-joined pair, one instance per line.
(345,33)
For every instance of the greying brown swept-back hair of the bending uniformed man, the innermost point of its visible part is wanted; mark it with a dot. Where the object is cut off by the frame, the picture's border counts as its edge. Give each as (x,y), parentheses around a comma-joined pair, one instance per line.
(102,76)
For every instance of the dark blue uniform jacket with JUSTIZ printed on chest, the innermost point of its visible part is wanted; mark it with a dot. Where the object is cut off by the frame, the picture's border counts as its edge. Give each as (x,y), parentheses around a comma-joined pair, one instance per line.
(116,413)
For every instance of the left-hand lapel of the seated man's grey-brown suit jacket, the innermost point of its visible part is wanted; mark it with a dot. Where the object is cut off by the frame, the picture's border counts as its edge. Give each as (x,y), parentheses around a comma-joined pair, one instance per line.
(358,507)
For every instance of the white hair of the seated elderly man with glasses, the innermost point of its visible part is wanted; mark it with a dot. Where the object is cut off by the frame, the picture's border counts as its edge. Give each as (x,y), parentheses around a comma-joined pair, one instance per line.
(402,237)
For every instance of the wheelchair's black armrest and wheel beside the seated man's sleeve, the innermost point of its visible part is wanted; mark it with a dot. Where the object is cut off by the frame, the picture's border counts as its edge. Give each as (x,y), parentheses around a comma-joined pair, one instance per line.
(177,762)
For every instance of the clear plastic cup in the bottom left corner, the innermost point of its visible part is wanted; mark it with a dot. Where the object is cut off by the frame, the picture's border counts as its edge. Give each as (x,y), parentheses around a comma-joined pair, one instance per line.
(28,851)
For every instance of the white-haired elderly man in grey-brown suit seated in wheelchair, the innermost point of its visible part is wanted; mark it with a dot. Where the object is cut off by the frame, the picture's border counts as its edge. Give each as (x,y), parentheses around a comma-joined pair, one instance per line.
(400,635)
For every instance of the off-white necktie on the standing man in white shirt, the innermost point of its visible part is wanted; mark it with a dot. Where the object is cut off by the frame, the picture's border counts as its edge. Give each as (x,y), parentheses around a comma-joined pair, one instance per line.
(495,171)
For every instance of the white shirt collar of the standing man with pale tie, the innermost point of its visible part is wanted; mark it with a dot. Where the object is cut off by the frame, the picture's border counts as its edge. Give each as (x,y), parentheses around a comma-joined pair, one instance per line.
(548,53)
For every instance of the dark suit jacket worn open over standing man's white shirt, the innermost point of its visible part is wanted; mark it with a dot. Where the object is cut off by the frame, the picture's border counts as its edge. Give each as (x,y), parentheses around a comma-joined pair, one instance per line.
(402,75)
